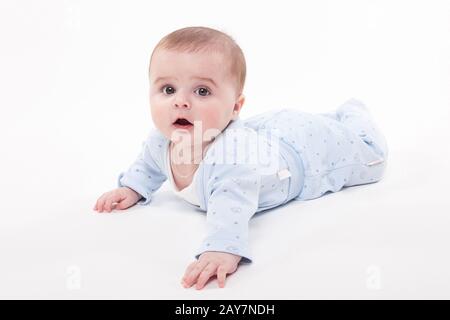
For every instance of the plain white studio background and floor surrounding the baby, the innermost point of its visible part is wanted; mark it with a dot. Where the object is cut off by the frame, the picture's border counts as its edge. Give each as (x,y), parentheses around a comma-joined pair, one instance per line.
(74,111)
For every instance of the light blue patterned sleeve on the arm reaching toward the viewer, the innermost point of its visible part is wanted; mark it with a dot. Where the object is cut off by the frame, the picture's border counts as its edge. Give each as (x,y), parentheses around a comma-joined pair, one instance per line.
(231,204)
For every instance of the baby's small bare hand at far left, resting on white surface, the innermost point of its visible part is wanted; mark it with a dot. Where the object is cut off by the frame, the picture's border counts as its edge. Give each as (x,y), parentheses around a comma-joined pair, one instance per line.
(120,198)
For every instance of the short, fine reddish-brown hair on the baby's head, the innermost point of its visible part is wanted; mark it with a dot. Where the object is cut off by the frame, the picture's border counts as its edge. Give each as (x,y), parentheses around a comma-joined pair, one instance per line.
(195,39)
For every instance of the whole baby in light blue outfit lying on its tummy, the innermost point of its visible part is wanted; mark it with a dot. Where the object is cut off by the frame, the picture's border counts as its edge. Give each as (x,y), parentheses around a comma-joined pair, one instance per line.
(232,168)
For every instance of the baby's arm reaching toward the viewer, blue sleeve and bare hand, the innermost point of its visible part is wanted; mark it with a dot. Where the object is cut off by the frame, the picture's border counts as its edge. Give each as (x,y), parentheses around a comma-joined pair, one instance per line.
(230,207)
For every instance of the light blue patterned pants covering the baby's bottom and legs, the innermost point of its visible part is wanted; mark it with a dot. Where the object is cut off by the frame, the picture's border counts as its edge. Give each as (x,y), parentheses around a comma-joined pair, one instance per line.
(337,149)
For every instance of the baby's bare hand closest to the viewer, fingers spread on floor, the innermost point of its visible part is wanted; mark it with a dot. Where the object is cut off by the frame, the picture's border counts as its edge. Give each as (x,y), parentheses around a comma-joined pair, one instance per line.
(209,264)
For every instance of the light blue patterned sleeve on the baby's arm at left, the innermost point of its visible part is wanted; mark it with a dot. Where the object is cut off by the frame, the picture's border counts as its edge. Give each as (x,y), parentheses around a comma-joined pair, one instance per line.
(144,176)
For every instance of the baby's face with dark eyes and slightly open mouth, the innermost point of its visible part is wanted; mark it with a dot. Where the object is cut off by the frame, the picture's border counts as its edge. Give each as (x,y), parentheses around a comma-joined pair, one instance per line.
(196,87)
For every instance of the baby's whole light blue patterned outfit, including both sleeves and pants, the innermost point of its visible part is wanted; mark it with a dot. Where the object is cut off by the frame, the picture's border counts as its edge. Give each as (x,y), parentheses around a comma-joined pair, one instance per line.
(307,155)
